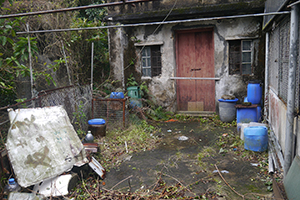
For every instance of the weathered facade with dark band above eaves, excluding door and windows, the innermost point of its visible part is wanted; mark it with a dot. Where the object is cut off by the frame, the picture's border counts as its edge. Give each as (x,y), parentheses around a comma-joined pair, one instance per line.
(126,45)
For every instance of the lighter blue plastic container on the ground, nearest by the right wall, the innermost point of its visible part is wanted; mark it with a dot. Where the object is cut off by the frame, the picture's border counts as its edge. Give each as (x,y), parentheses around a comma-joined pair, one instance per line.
(256,138)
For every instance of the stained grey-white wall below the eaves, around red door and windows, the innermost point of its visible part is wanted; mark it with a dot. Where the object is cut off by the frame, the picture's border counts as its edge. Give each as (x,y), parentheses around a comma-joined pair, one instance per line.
(163,88)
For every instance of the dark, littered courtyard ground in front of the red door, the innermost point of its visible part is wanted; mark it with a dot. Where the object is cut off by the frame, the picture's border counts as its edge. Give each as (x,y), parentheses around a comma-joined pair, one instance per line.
(199,164)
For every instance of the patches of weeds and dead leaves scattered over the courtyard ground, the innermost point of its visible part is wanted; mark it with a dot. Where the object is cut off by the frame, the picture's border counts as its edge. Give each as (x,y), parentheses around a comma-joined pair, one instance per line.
(120,144)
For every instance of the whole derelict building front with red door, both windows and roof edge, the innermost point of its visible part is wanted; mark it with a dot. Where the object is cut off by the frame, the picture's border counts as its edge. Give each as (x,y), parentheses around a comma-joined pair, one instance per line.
(189,53)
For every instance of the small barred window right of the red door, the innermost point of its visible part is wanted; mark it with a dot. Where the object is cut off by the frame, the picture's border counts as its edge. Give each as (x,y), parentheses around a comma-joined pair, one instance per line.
(240,57)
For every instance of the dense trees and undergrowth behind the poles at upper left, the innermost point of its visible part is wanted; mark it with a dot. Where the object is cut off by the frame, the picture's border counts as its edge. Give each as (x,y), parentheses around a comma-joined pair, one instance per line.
(58,58)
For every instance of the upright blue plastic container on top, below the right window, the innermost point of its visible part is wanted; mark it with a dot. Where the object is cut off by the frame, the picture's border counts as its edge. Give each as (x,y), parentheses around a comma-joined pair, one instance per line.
(254,92)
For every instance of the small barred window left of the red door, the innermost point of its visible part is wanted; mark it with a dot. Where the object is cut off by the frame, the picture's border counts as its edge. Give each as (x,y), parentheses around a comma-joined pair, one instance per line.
(151,61)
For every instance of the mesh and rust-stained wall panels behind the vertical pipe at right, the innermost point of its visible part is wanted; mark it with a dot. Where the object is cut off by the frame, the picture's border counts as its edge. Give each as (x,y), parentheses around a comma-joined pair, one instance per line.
(278,61)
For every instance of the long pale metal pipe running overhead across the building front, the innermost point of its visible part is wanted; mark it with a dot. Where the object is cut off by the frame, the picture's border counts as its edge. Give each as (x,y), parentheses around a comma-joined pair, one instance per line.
(158,23)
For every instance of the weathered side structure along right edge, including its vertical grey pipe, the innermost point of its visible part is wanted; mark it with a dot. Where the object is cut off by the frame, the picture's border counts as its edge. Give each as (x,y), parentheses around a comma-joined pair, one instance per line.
(282,80)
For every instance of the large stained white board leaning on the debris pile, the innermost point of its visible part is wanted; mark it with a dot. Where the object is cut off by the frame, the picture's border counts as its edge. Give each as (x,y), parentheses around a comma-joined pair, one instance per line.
(42,144)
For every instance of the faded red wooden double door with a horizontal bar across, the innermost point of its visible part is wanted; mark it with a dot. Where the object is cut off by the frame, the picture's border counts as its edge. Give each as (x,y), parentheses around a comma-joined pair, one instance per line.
(195,58)
